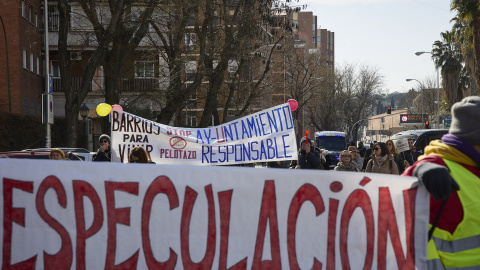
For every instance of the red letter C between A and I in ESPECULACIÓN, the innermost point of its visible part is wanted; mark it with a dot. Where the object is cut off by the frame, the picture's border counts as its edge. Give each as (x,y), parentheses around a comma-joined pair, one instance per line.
(305,193)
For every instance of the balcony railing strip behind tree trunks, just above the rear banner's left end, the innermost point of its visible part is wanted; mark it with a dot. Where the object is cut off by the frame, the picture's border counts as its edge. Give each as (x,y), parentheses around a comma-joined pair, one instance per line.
(124,84)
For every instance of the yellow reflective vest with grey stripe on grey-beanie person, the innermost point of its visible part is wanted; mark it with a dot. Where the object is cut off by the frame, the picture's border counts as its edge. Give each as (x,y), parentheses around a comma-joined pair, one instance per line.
(460,250)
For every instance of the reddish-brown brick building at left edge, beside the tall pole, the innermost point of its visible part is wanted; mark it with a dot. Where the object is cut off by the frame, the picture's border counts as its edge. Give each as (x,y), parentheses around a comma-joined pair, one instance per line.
(21,72)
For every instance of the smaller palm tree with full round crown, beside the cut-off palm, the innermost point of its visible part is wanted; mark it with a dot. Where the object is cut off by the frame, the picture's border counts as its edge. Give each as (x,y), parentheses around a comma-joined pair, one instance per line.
(448,57)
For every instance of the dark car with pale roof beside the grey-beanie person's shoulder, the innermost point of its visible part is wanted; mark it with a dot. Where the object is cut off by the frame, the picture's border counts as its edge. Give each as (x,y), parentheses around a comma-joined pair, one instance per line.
(421,137)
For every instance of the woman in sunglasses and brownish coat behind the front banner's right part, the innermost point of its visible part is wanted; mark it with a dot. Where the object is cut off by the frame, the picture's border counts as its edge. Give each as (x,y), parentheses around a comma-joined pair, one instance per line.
(382,160)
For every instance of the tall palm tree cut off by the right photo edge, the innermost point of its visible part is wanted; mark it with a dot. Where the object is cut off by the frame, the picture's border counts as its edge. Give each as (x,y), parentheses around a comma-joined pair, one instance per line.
(469,14)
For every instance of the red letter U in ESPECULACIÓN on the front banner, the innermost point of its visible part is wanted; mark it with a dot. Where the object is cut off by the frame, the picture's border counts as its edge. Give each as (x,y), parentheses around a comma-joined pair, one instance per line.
(207,261)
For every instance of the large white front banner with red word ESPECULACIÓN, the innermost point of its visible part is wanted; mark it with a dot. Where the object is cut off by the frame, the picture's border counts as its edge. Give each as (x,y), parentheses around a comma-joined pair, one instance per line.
(98,215)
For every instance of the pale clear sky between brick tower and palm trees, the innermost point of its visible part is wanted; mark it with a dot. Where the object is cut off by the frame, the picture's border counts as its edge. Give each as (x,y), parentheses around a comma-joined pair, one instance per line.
(385,34)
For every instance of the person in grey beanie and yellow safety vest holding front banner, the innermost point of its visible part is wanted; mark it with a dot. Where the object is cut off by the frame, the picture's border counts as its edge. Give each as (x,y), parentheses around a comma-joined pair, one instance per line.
(450,170)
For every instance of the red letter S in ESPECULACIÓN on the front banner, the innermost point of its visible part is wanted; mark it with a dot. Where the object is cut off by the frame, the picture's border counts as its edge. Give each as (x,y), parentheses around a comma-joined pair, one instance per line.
(64,257)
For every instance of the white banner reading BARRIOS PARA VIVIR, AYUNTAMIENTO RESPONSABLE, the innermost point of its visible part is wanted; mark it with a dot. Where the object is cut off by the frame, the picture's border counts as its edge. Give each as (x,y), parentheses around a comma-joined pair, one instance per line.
(265,136)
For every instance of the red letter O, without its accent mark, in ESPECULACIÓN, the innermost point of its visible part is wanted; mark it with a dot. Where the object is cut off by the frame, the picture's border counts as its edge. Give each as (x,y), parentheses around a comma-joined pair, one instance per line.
(358,198)
